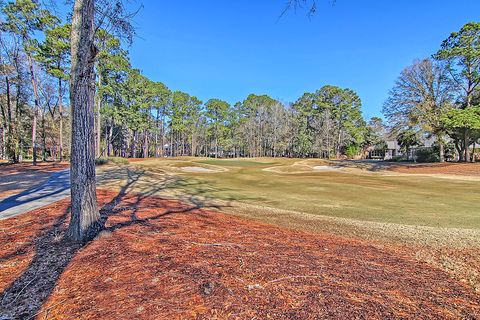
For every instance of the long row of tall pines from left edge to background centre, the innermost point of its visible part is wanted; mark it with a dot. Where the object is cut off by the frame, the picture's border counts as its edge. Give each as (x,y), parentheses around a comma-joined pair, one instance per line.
(138,117)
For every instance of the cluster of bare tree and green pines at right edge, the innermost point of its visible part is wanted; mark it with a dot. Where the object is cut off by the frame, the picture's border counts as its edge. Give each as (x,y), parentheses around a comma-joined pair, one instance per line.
(439,97)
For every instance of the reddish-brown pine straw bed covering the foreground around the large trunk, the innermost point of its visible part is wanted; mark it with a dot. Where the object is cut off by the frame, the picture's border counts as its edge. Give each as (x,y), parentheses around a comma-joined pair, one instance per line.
(161,259)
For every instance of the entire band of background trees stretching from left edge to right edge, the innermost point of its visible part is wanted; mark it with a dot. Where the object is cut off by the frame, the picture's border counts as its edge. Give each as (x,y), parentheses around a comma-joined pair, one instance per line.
(138,117)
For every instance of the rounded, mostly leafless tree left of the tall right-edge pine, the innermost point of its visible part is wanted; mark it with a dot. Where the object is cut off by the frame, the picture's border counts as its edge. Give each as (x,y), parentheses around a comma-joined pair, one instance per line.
(421,96)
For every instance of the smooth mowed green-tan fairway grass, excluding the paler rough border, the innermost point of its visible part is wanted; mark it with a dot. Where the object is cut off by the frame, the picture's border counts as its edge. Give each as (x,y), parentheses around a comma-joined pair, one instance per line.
(403,199)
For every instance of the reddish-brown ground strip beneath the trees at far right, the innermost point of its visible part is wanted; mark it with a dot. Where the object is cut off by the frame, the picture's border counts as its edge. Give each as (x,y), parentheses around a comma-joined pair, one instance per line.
(465,169)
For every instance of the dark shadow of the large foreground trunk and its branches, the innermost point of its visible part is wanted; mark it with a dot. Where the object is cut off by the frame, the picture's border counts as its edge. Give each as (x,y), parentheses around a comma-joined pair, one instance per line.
(24,298)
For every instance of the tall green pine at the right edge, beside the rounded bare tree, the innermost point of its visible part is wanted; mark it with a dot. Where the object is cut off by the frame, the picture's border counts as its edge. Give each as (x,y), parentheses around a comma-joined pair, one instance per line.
(461,54)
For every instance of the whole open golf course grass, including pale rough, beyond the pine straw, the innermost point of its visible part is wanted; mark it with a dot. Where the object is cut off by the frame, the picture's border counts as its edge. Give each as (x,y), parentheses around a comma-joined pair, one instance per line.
(434,216)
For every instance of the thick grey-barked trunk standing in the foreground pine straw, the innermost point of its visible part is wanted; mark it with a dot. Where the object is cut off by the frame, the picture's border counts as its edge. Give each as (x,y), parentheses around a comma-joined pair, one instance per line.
(85,220)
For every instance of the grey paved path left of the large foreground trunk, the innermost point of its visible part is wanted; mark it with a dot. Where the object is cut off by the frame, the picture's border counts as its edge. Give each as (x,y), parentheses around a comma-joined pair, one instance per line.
(54,189)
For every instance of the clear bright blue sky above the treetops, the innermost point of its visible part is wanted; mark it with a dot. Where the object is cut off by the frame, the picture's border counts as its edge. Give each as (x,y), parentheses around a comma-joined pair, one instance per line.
(229,48)
